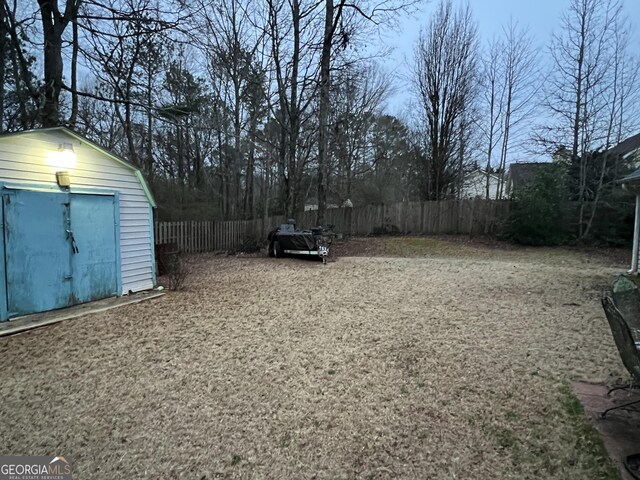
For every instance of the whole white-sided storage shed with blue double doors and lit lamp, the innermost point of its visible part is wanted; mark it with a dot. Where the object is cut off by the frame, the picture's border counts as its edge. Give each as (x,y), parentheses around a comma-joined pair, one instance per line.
(77,223)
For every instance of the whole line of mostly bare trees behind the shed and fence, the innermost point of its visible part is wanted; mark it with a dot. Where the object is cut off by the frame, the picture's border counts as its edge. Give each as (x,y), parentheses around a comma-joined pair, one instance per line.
(242,109)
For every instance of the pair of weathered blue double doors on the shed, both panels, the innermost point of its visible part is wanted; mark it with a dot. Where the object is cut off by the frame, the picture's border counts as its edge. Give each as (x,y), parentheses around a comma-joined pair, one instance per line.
(60,249)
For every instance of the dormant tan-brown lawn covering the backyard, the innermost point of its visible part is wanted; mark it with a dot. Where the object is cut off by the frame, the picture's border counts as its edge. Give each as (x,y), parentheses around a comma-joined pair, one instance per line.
(428,358)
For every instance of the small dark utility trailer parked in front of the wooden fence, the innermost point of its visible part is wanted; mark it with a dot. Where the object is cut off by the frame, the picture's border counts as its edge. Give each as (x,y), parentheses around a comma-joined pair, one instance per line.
(287,240)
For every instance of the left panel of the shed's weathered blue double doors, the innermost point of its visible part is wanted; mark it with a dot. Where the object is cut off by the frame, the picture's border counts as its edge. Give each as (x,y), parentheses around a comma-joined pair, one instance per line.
(37,251)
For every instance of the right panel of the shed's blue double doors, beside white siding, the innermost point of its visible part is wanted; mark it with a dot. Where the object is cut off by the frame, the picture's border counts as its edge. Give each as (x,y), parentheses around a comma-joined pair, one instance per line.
(95,258)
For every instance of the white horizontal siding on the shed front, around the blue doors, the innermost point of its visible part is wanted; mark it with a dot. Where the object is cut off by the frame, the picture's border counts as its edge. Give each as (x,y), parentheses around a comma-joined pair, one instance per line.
(23,160)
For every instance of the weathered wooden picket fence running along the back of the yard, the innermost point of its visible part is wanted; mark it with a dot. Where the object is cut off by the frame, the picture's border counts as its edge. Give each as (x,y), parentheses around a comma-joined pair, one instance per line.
(472,217)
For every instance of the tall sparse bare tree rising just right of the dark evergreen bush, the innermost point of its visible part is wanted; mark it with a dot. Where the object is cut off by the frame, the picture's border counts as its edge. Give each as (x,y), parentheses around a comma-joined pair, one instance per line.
(581,55)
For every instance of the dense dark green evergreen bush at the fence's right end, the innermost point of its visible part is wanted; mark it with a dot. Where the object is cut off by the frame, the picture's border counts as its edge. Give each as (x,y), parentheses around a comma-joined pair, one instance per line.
(537,214)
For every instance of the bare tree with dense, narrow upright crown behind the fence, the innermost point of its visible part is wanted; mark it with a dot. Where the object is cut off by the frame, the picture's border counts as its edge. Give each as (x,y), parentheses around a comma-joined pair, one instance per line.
(444,75)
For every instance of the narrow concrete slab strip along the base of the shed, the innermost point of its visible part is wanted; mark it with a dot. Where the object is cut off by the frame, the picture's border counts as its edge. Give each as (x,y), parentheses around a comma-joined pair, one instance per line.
(28,322)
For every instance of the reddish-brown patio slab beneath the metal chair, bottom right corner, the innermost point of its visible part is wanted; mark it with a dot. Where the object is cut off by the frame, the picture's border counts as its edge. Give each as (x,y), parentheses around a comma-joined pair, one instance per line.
(620,429)
